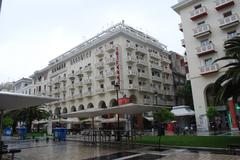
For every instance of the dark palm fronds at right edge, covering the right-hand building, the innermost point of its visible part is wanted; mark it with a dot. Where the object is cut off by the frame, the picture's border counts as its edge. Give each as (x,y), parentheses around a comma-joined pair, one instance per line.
(228,85)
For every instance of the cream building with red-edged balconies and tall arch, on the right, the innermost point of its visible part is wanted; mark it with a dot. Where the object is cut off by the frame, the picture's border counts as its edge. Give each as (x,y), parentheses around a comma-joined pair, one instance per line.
(206,24)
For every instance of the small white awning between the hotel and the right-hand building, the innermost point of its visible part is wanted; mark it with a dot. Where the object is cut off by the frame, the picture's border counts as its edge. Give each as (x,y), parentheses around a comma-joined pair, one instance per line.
(182,111)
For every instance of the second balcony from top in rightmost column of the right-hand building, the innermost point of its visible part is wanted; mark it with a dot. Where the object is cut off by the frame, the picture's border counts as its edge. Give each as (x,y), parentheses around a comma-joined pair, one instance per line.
(229,21)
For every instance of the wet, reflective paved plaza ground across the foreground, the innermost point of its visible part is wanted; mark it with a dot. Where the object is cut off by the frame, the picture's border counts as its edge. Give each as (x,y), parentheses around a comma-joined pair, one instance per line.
(43,150)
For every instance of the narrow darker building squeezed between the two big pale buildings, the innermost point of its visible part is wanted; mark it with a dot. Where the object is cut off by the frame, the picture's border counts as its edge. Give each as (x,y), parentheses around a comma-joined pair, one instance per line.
(179,75)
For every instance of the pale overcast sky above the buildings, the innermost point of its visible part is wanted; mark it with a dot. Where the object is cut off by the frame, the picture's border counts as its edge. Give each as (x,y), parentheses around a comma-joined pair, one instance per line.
(32,32)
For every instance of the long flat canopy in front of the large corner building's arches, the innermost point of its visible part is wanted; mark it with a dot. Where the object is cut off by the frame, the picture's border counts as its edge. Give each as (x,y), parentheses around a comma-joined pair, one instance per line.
(122,109)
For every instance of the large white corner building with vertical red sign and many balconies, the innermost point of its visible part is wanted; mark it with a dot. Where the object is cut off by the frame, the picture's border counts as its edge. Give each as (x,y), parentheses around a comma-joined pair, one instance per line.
(119,61)
